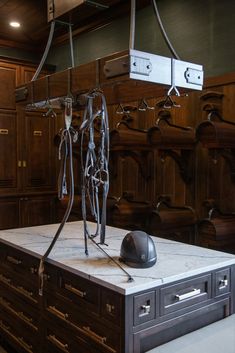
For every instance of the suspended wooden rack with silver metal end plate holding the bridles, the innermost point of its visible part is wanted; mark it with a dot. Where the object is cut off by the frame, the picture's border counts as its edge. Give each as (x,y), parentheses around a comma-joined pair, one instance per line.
(122,76)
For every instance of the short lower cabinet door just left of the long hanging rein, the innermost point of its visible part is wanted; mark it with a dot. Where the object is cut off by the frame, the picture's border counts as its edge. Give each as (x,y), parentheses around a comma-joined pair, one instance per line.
(37,210)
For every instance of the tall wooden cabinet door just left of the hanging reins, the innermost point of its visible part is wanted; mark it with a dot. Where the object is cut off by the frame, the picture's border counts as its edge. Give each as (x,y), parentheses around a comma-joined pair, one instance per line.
(38,151)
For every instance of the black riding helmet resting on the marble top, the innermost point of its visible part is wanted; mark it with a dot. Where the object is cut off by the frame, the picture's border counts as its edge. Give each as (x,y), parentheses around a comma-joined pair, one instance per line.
(138,250)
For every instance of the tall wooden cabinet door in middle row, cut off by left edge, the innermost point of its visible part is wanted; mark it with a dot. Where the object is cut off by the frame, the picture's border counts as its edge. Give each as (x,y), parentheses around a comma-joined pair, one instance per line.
(9,166)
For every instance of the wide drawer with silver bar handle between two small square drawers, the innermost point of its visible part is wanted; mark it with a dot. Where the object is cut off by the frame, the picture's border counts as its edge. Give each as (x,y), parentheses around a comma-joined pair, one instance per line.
(185,294)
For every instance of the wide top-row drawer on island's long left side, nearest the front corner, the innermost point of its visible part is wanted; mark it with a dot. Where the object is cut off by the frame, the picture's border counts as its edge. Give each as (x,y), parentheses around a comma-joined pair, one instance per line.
(80,291)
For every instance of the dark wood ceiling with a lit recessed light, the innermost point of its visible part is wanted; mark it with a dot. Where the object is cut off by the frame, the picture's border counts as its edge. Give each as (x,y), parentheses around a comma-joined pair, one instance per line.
(34,30)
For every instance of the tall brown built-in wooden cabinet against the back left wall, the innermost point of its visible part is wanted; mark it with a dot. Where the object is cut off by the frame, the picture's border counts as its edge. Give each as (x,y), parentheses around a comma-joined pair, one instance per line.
(27,158)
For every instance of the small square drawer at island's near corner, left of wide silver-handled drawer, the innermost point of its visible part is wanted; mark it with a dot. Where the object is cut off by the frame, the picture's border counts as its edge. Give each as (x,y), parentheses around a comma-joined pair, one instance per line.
(144,307)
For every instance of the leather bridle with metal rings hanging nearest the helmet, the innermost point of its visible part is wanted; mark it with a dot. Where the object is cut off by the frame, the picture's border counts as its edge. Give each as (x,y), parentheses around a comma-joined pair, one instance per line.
(94,164)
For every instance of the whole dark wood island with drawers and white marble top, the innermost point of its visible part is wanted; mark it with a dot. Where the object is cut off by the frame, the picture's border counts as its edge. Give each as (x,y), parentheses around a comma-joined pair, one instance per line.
(88,303)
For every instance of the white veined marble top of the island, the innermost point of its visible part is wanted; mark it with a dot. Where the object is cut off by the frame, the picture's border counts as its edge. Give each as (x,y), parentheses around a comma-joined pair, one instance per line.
(176,260)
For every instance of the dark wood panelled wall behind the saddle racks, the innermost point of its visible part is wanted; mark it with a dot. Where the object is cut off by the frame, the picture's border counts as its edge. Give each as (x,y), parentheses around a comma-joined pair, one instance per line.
(212,183)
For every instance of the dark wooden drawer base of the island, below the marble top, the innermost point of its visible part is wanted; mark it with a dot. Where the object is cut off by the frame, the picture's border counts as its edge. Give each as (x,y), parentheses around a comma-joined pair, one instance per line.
(77,312)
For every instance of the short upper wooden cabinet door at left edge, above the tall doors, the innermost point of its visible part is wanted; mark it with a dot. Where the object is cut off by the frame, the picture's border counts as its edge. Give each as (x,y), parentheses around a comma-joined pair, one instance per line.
(8,79)
